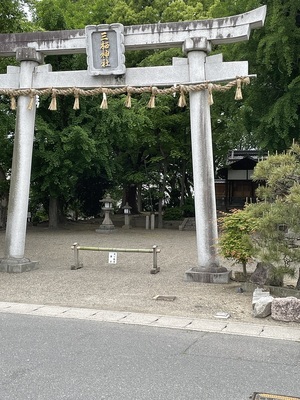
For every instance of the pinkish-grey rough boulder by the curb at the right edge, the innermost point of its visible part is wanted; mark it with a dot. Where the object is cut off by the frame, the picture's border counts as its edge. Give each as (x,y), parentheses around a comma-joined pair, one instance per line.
(286,309)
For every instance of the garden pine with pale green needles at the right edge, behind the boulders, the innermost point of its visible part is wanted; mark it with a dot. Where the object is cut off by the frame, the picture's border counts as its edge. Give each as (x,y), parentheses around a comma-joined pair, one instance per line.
(279,212)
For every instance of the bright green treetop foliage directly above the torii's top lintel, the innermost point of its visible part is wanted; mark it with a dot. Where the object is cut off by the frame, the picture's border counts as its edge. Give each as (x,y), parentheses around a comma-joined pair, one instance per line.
(74,15)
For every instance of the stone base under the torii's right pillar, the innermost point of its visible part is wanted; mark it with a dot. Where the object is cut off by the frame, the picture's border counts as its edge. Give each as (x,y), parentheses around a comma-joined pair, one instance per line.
(208,275)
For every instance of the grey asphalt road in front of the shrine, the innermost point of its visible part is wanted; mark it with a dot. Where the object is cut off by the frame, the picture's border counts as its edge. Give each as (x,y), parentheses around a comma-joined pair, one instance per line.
(43,358)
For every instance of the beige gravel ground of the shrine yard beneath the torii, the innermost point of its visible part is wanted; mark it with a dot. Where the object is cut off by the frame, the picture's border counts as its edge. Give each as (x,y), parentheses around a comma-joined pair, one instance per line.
(127,285)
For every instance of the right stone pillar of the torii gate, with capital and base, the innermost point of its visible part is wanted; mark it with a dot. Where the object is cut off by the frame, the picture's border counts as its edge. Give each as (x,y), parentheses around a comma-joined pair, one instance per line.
(203,166)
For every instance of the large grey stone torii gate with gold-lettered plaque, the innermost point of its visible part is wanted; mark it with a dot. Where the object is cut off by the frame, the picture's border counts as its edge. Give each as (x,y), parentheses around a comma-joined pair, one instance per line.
(105,45)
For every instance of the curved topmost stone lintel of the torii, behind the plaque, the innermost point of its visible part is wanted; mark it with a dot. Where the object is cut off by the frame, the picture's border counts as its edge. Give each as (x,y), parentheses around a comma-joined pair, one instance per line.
(137,37)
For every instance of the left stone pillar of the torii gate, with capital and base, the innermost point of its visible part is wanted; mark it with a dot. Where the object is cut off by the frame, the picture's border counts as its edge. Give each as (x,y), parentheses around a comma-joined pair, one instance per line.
(14,260)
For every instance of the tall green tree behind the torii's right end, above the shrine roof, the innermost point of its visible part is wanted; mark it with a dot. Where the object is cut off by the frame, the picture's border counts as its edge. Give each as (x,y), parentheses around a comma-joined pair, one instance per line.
(267,117)
